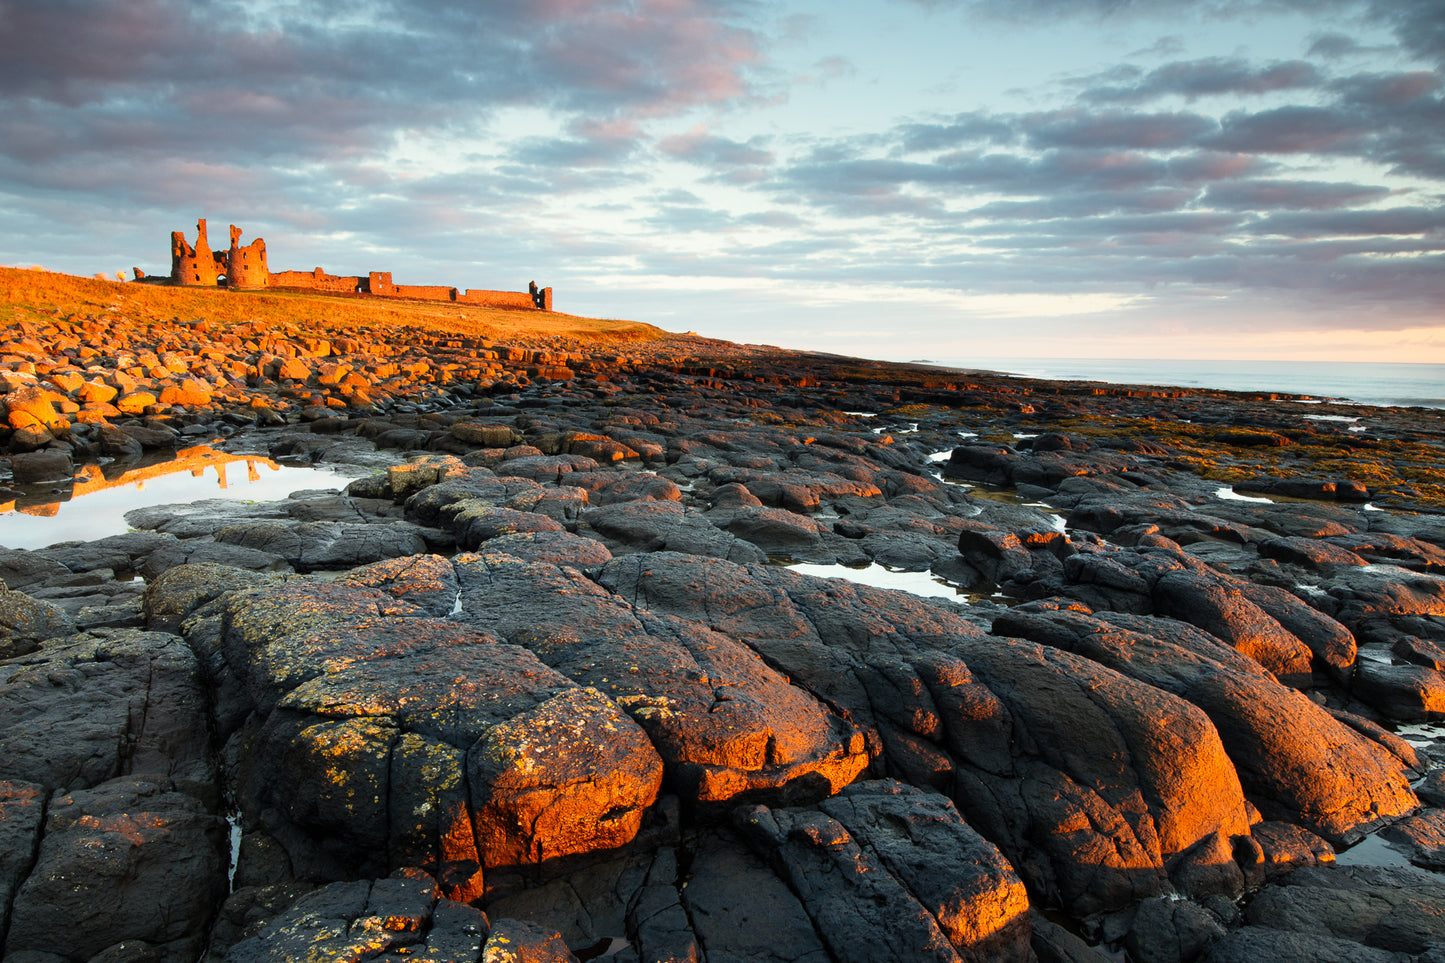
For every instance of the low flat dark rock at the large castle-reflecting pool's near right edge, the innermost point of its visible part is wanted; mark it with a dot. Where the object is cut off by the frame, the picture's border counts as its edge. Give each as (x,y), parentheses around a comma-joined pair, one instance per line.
(310,546)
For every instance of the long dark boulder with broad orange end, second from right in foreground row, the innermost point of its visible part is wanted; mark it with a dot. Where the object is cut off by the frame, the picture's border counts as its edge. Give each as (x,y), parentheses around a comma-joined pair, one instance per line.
(1027,740)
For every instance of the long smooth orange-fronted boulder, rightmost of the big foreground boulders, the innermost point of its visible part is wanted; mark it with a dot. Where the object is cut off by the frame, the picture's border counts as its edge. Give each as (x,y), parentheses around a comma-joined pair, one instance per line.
(1294,760)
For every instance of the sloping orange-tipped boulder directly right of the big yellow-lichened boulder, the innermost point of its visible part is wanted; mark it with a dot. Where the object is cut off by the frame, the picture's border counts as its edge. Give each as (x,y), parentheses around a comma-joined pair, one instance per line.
(725,722)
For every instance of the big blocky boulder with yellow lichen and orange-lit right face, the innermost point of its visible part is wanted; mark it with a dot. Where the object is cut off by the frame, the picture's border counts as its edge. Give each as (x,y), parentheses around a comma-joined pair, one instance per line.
(441,732)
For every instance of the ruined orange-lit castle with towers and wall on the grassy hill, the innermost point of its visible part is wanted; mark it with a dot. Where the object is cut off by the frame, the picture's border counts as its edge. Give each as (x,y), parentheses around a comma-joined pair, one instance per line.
(245,268)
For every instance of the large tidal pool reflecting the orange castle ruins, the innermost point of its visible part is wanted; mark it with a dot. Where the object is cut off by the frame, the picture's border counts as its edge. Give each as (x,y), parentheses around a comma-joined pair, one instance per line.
(96,504)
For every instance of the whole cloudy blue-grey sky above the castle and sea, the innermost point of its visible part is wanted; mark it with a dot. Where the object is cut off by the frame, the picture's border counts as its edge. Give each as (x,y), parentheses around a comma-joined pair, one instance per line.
(949,180)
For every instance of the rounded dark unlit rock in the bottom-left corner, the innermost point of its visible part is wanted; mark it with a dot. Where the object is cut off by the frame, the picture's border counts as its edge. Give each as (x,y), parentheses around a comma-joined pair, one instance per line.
(129,860)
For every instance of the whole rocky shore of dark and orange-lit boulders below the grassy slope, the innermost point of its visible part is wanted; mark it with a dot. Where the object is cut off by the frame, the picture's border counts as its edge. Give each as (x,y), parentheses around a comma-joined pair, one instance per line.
(538,686)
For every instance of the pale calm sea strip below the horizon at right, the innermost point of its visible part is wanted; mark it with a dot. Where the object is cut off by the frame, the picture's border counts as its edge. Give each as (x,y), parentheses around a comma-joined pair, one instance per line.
(1360,382)
